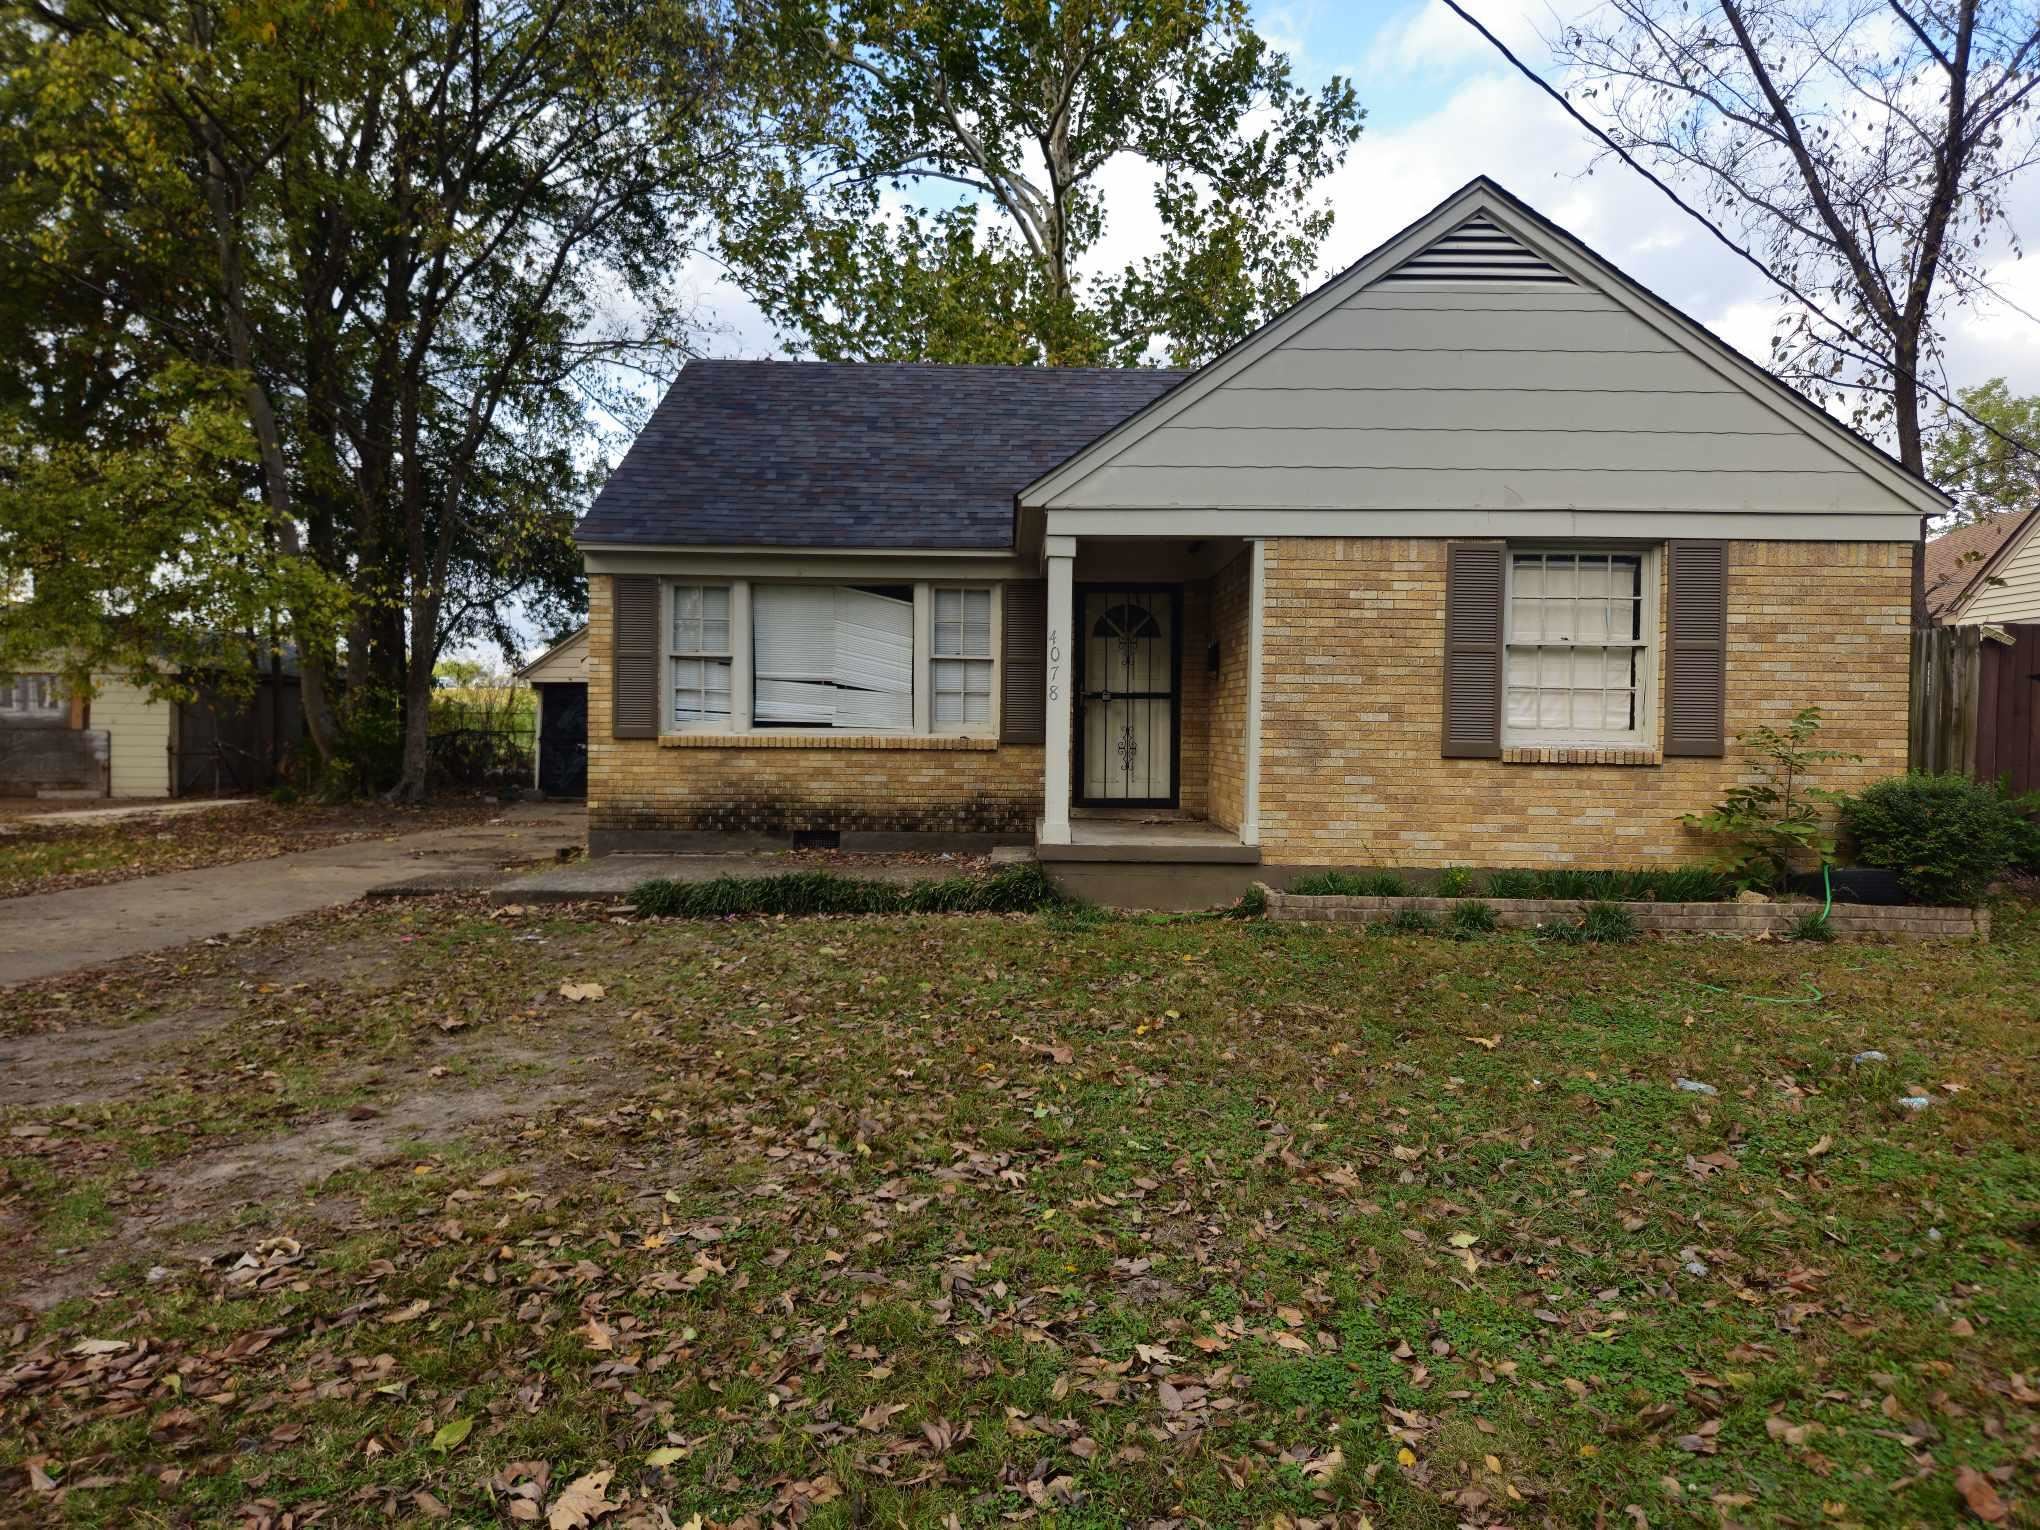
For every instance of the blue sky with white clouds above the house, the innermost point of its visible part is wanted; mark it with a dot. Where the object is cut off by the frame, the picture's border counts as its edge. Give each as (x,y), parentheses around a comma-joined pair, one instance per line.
(1441,109)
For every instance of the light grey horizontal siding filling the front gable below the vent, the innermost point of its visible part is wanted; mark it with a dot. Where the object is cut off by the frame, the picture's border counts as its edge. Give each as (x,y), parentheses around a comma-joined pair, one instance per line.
(1460,399)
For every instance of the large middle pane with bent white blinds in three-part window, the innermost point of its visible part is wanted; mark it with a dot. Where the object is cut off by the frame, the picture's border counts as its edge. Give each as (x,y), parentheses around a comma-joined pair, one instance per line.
(833,656)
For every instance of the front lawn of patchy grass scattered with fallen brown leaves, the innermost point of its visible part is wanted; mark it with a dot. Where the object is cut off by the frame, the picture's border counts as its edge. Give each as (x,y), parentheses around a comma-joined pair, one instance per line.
(478,1215)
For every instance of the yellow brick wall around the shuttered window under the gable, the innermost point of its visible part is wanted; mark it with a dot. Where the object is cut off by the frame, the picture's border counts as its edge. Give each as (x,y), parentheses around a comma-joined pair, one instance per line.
(1354,691)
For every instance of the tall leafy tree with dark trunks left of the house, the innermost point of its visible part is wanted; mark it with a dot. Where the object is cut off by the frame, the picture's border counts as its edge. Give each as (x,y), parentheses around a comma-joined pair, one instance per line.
(423,242)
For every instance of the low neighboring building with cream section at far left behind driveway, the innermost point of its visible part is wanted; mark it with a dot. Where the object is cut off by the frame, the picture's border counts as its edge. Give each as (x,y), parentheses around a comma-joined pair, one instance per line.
(125,744)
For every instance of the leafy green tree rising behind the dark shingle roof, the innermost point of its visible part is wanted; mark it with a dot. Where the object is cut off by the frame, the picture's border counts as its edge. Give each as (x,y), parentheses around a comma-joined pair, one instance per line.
(1019,107)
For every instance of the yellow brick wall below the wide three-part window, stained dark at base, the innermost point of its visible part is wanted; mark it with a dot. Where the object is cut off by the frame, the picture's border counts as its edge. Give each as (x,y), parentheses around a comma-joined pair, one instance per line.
(901,786)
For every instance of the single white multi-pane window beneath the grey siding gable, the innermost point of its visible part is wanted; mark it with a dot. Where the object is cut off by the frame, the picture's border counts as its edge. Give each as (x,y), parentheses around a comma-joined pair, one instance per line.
(1578,658)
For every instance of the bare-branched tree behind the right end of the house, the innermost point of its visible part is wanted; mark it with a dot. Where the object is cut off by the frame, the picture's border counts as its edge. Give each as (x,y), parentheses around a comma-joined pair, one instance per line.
(1864,148)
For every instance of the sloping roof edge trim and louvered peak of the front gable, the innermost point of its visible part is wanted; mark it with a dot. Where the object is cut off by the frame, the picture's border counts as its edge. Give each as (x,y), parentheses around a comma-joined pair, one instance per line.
(1486,215)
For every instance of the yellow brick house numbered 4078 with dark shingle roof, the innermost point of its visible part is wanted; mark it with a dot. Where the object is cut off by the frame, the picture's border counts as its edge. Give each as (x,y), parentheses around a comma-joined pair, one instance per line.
(1478,556)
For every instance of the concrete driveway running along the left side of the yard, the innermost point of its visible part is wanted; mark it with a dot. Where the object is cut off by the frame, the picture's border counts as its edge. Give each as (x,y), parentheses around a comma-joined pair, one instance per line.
(56,933)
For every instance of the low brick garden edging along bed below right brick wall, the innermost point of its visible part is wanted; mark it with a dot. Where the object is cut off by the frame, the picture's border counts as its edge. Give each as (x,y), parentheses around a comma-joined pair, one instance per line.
(1849,921)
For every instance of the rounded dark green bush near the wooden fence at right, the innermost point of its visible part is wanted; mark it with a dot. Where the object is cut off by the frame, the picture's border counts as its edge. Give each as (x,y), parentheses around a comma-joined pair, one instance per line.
(1945,835)
